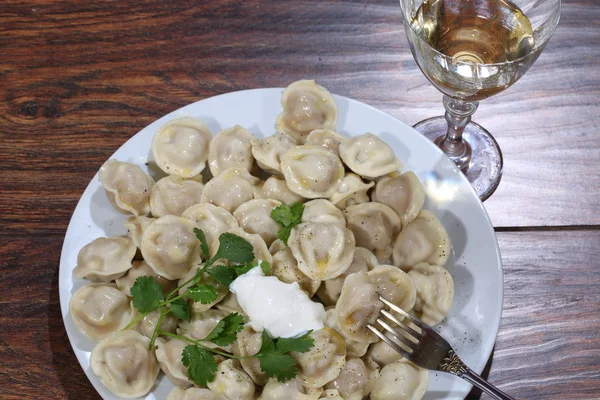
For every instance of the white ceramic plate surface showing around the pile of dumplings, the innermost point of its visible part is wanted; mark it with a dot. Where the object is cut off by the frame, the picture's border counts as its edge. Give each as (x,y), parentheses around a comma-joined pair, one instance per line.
(473,321)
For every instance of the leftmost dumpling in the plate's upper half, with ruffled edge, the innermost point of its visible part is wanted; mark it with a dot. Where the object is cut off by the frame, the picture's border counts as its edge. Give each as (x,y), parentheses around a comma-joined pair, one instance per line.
(127,187)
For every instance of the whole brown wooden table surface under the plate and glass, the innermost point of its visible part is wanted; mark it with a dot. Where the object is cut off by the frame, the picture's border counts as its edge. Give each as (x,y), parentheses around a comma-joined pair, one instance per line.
(77,79)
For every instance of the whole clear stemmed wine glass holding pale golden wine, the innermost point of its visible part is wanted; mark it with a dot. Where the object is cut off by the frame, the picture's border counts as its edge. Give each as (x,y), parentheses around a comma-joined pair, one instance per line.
(471,50)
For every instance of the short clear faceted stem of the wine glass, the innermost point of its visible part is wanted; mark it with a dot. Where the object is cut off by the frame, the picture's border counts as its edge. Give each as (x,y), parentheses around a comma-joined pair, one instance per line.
(458,115)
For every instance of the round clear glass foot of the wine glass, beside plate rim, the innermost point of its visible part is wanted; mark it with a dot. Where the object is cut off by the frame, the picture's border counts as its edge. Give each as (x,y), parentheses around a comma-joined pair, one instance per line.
(484,169)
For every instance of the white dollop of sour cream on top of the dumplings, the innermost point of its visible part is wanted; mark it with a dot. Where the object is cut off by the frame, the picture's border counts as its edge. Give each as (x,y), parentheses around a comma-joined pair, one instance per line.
(282,309)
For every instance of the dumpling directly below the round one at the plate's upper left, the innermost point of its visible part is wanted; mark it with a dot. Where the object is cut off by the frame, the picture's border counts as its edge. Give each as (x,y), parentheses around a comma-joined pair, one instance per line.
(172,195)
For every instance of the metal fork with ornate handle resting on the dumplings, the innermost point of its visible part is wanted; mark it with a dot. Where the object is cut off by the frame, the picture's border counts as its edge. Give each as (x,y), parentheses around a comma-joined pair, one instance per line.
(428,349)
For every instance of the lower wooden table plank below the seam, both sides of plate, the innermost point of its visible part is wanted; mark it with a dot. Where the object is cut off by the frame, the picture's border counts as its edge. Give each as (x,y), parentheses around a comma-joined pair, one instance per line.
(548,346)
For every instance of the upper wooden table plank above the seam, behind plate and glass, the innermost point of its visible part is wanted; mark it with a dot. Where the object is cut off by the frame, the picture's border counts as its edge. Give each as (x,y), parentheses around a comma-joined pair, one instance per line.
(79,78)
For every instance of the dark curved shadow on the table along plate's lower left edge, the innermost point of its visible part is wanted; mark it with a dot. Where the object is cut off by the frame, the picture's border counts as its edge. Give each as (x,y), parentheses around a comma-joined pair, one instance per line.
(66,367)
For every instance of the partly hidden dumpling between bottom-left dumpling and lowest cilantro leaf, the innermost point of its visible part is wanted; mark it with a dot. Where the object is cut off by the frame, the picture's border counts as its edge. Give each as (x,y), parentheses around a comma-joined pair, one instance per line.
(169,356)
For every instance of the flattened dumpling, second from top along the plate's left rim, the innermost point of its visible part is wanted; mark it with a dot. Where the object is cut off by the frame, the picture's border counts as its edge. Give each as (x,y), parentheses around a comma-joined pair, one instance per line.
(105,259)
